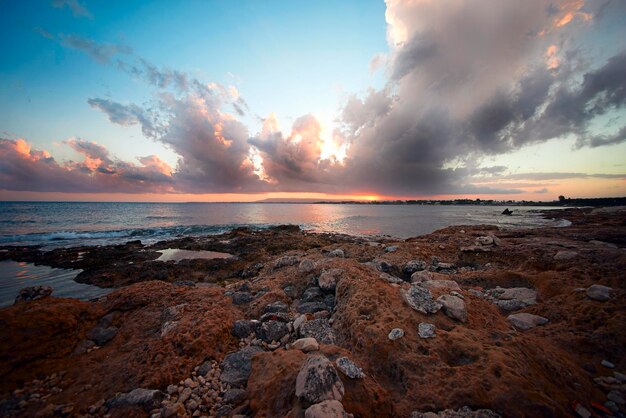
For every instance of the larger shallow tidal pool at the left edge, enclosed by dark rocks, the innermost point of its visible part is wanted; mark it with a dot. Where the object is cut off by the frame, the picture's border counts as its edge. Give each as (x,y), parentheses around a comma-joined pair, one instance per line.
(16,275)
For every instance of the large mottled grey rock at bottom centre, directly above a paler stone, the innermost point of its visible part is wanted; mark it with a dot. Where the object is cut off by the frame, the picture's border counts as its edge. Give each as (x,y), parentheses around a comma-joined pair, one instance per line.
(318,380)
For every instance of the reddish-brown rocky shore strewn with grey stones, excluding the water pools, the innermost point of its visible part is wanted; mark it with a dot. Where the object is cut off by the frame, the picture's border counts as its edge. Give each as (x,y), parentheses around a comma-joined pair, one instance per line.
(469,321)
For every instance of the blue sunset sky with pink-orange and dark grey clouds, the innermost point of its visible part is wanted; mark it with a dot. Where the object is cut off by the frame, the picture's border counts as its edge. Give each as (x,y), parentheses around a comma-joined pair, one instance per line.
(247,100)
